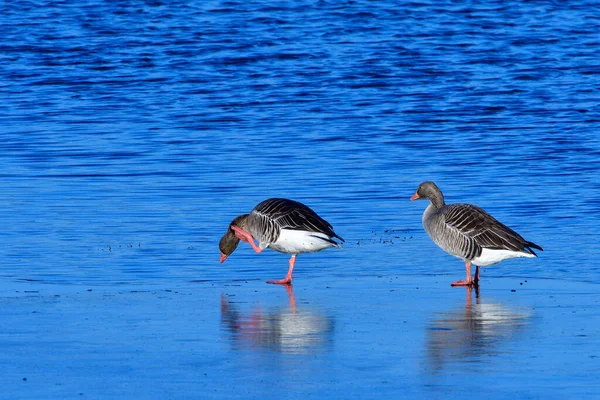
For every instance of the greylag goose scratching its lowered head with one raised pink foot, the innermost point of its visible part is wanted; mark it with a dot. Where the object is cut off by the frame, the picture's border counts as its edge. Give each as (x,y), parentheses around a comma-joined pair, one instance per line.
(282,225)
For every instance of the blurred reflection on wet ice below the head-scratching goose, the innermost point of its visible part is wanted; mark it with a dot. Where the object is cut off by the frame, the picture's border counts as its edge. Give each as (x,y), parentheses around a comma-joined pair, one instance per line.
(289,329)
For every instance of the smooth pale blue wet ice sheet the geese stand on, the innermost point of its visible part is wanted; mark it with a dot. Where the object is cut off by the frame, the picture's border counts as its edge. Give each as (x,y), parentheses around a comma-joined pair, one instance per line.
(395,336)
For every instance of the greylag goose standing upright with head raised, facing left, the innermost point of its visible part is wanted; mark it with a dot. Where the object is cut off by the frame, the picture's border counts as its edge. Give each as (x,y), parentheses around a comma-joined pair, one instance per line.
(470,233)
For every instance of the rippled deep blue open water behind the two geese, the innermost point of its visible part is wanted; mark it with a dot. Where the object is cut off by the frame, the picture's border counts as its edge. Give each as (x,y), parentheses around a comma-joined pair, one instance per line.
(131,134)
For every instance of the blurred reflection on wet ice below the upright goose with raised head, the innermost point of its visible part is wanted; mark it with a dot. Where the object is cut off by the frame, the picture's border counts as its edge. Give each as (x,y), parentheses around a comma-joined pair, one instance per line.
(473,333)
